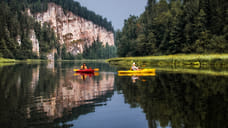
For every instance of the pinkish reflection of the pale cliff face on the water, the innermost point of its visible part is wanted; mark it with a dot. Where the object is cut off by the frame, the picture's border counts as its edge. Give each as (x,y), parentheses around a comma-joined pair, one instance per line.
(73,92)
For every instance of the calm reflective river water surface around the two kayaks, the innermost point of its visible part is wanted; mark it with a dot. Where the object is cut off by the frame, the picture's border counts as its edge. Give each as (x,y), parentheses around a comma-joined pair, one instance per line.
(53,95)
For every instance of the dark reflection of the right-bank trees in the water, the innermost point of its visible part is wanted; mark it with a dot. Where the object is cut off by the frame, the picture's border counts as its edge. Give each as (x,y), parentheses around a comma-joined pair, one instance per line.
(183,100)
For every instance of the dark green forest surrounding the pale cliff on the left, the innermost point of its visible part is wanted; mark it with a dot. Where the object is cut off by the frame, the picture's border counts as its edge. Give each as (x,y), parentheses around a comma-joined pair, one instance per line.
(14,23)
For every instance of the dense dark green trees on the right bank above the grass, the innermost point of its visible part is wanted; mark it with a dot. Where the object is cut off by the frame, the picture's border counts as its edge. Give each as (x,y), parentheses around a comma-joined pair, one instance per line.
(176,26)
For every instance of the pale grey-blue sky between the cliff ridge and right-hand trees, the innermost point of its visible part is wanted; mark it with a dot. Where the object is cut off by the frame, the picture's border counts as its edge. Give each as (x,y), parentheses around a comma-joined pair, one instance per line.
(115,11)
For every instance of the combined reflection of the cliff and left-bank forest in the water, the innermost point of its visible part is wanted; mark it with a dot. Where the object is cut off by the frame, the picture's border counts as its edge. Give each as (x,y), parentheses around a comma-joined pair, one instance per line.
(47,94)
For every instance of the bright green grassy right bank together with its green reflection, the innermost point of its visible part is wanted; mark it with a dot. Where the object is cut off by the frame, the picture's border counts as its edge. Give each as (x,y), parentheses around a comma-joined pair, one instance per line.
(212,64)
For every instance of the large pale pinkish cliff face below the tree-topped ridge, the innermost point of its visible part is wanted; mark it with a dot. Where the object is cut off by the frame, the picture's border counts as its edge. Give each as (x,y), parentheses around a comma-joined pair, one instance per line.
(72,30)
